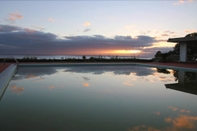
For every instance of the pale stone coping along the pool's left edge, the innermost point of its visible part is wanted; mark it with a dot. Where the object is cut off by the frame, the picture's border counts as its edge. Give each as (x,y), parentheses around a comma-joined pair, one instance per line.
(5,77)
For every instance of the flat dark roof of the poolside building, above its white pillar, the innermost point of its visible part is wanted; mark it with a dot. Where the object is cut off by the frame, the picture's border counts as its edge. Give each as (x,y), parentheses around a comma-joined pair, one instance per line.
(183,39)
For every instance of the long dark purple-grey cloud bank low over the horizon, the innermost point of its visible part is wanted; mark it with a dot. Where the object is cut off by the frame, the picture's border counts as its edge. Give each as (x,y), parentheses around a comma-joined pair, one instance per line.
(18,40)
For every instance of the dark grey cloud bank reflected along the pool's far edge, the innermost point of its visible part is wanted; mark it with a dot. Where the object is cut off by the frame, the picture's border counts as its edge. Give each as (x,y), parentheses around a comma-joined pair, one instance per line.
(40,72)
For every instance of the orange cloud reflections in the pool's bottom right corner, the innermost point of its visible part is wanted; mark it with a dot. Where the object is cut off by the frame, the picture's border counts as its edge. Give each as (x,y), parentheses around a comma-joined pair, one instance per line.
(180,122)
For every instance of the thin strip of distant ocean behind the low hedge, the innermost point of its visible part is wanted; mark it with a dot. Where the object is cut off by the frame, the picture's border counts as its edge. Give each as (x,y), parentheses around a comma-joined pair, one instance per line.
(59,57)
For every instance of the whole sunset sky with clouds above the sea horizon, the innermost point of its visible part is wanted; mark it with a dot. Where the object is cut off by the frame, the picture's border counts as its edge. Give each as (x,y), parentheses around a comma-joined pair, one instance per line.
(94,27)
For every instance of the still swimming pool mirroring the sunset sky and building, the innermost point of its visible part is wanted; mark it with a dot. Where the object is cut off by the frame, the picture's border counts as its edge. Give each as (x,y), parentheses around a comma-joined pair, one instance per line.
(99,98)
